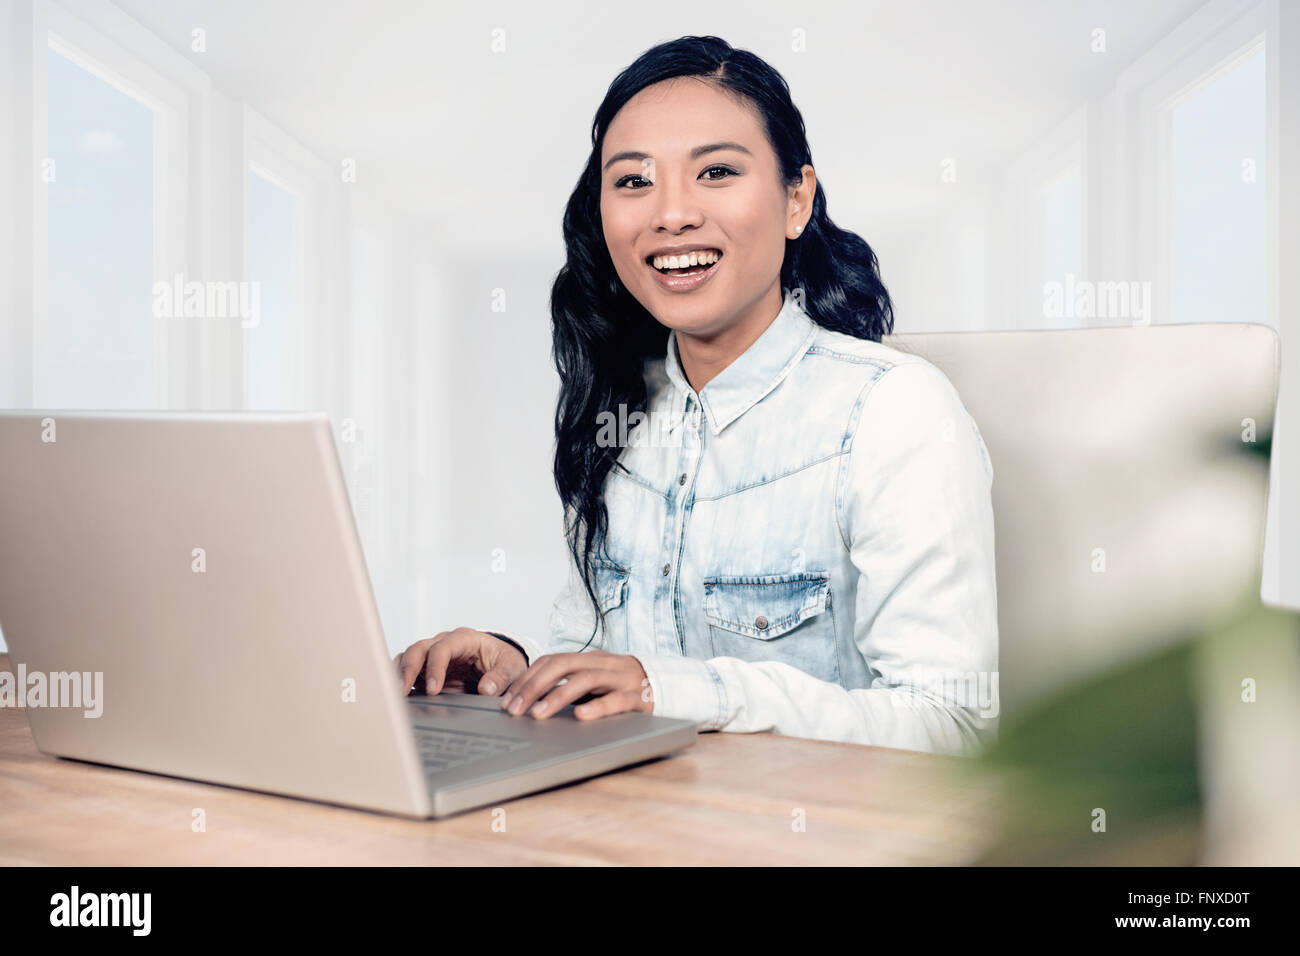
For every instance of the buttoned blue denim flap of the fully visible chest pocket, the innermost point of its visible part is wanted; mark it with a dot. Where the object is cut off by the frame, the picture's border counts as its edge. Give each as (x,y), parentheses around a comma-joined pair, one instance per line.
(766,607)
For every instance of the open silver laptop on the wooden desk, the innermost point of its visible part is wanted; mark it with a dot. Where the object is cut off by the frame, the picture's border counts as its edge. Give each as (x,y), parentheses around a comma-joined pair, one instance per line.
(198,579)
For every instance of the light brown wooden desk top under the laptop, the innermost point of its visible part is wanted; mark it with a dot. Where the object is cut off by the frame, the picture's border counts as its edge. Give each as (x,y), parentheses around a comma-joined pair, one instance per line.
(729,799)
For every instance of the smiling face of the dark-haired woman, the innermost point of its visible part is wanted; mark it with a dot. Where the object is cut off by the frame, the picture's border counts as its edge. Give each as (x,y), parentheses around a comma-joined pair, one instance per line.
(686,166)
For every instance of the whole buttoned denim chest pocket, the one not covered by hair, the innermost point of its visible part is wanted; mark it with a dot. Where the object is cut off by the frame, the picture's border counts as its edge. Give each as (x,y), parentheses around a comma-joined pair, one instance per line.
(782,618)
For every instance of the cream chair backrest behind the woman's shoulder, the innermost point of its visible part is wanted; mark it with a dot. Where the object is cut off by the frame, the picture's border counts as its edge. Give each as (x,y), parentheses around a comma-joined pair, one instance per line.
(1126,505)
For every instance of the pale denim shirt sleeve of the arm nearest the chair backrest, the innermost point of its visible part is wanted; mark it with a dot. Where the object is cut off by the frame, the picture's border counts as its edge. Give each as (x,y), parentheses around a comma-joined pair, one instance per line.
(915,507)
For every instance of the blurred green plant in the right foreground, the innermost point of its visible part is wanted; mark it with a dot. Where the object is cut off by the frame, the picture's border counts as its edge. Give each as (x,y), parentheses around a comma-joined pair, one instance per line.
(1126,742)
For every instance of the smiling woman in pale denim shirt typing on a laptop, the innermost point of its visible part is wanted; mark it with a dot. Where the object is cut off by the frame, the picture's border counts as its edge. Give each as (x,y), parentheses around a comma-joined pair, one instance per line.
(777,524)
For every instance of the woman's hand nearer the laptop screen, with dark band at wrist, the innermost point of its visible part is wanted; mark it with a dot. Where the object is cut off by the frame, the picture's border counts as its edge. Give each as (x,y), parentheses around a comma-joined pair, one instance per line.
(456,659)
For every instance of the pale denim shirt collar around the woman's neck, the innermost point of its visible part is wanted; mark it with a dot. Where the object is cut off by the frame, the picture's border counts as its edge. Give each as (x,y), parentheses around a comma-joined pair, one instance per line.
(756,373)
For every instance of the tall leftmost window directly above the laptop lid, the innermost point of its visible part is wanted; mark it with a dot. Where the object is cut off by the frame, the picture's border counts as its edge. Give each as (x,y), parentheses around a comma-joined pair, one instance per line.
(101,340)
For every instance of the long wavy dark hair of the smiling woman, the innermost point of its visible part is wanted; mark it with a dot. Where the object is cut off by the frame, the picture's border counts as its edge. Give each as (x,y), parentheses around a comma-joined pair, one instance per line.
(603,336)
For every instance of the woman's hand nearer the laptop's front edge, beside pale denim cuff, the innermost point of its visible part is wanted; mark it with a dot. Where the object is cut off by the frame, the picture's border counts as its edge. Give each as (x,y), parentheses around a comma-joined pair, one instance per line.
(619,681)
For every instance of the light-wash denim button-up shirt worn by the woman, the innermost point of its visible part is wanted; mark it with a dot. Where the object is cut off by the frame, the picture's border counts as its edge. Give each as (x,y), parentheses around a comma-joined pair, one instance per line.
(804,547)
